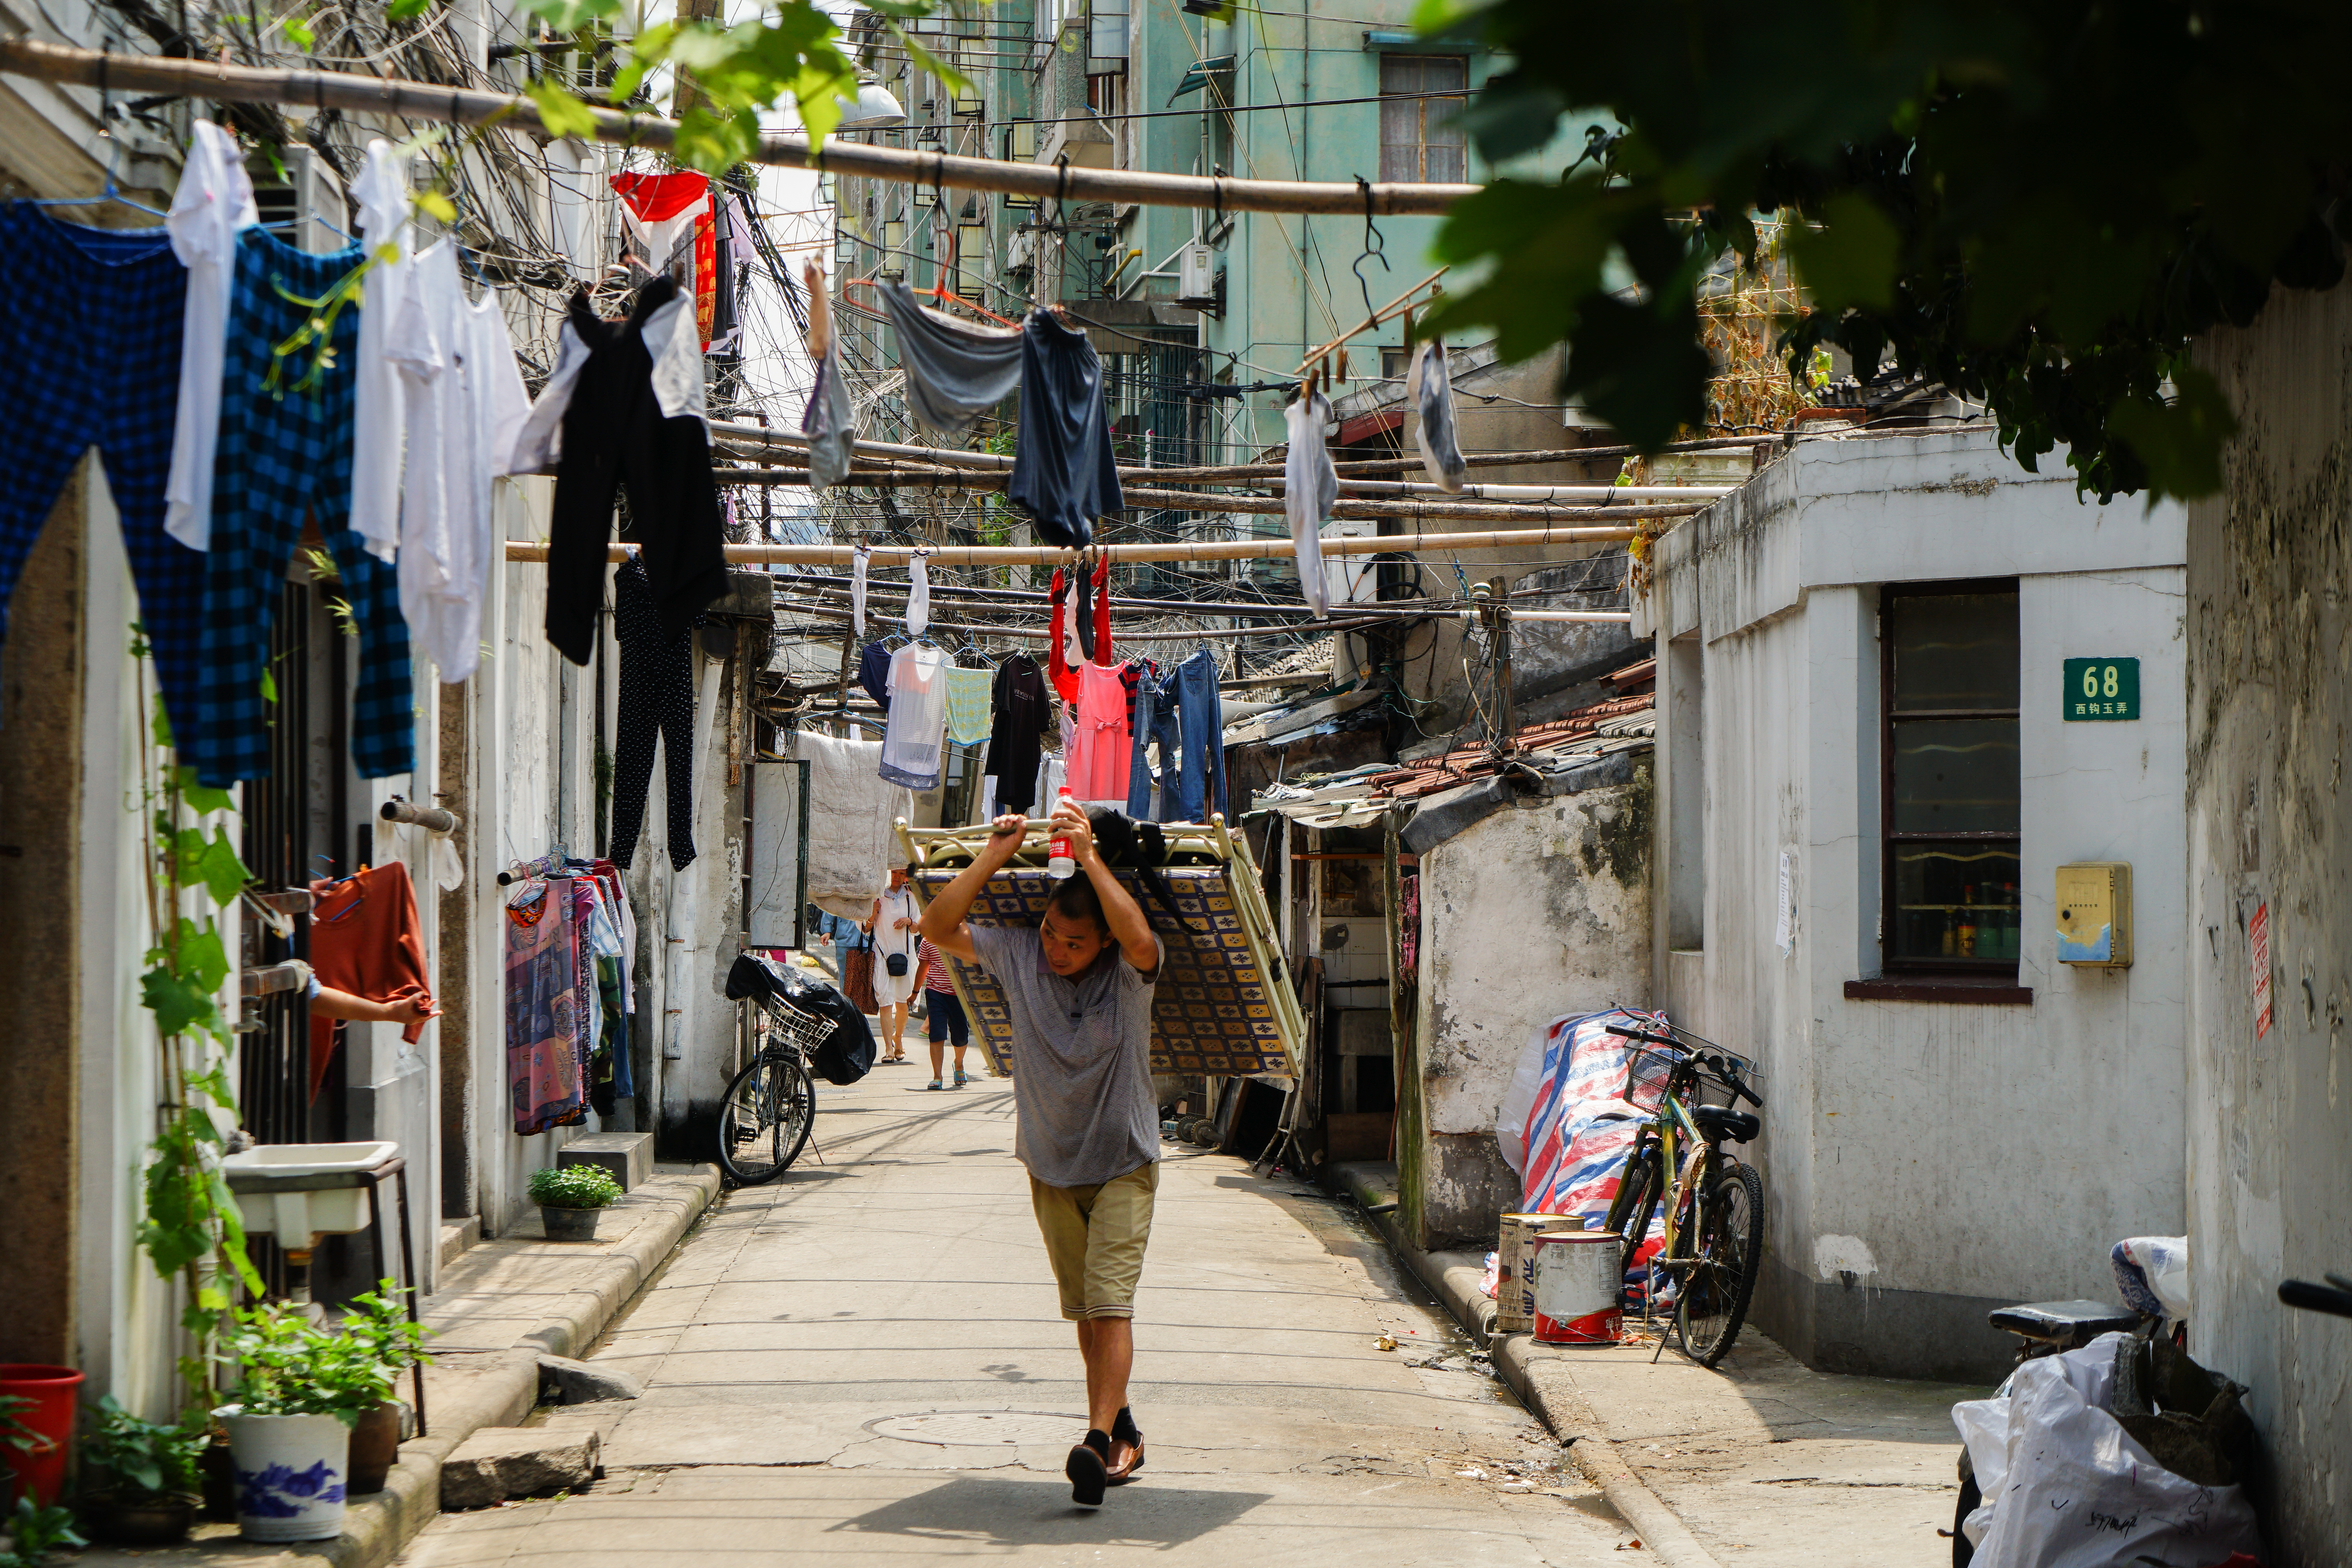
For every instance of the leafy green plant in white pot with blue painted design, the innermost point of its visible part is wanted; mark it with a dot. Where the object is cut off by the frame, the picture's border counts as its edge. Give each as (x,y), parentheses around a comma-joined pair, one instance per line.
(300,1393)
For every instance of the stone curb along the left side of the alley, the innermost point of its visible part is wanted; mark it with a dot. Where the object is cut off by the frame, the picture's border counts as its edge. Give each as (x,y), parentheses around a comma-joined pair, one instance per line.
(507,1383)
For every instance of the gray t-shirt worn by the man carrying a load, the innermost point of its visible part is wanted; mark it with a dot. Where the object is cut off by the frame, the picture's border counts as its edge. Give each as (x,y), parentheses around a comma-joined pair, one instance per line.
(1083,1059)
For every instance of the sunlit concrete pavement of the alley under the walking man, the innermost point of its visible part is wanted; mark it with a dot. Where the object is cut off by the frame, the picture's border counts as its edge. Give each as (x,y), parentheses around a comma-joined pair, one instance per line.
(867,1362)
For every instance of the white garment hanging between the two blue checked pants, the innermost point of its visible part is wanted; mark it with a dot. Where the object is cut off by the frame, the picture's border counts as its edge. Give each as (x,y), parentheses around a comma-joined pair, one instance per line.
(213,206)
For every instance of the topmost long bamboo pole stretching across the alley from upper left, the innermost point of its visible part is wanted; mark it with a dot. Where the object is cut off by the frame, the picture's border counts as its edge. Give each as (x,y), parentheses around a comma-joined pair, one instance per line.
(373,95)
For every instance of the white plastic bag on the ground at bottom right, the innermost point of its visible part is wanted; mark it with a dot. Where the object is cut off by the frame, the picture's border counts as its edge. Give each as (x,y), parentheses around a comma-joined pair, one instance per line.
(2066,1487)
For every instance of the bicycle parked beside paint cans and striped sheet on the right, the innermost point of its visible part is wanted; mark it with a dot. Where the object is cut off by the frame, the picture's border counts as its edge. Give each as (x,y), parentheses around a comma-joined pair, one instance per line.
(1716,1212)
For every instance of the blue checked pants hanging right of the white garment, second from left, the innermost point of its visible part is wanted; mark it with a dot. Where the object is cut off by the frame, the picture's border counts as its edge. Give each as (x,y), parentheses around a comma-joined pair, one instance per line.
(283,462)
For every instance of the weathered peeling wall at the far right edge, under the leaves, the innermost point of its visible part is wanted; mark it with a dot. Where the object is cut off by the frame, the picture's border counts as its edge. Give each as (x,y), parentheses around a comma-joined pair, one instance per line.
(2271,1127)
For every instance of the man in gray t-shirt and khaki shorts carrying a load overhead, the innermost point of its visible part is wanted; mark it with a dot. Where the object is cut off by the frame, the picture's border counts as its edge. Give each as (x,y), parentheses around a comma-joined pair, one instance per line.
(1088,1130)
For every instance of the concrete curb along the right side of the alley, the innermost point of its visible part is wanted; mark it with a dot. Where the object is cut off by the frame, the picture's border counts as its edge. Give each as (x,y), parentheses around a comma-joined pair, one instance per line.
(1537,1374)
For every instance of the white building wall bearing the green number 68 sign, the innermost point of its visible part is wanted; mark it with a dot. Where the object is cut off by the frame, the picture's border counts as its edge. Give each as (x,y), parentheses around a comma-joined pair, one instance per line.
(1913,1148)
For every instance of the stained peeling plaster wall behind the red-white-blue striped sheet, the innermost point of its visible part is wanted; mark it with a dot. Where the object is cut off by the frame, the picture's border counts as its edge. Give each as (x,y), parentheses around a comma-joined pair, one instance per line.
(1530,913)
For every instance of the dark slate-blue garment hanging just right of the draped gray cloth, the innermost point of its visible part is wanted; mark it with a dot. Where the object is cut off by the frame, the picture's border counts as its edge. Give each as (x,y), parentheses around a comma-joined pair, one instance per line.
(1064,471)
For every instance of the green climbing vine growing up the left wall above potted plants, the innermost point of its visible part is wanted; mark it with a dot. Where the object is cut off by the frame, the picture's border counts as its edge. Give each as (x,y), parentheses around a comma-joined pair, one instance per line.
(192,1228)
